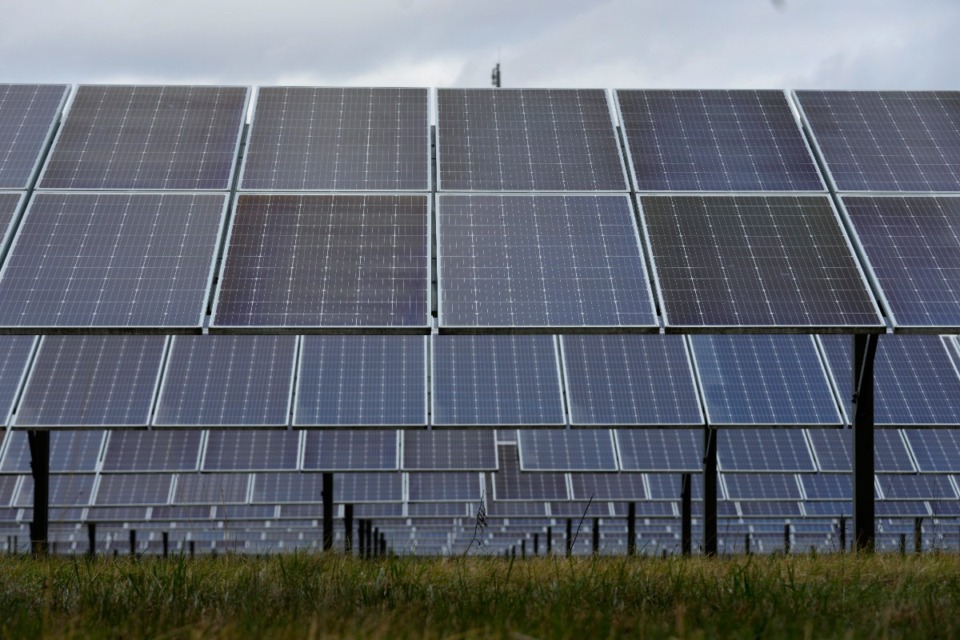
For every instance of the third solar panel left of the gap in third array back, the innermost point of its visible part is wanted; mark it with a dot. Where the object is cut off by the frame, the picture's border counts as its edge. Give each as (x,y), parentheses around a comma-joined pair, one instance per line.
(252,451)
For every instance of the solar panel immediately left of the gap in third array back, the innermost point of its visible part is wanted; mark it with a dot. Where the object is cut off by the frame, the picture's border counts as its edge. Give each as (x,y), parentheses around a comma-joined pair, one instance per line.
(449,451)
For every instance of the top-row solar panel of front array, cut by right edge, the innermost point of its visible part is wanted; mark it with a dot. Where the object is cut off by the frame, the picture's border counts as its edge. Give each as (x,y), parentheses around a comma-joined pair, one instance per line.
(887,140)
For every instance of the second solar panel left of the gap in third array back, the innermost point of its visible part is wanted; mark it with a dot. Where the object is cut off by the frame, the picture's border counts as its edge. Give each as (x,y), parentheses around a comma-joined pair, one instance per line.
(365,450)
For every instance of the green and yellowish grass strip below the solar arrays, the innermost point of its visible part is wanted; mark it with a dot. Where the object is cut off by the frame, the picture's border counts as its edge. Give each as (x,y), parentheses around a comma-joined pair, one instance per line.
(306,595)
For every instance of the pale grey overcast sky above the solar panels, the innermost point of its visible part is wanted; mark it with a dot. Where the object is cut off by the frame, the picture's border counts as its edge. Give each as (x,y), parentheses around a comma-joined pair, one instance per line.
(855,44)
